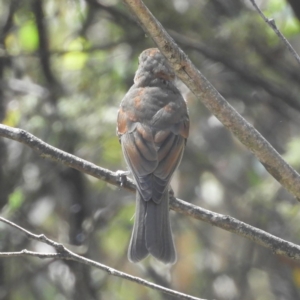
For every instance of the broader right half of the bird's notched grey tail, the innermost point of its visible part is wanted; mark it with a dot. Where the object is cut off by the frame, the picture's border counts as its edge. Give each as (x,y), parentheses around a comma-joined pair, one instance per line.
(158,233)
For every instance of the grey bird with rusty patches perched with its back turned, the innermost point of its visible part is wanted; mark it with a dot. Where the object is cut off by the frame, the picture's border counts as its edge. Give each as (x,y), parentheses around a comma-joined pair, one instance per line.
(153,127)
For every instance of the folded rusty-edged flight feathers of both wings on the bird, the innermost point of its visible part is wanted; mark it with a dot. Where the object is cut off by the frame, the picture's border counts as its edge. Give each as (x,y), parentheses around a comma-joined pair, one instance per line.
(152,163)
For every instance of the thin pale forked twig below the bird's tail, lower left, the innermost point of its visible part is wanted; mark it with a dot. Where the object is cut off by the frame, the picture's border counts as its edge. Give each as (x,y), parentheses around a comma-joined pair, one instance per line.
(64,253)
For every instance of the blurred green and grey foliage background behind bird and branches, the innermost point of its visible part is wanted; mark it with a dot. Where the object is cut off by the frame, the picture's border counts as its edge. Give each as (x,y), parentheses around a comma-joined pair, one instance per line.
(64,68)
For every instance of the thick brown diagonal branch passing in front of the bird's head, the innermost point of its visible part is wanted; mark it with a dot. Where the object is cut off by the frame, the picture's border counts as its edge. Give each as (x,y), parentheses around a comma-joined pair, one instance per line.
(217,105)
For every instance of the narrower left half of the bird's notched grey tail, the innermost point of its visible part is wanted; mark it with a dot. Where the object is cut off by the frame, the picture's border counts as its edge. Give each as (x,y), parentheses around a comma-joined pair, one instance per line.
(137,247)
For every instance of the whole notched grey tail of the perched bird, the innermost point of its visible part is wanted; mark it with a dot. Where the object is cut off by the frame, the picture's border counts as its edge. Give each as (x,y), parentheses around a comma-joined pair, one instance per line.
(152,231)
